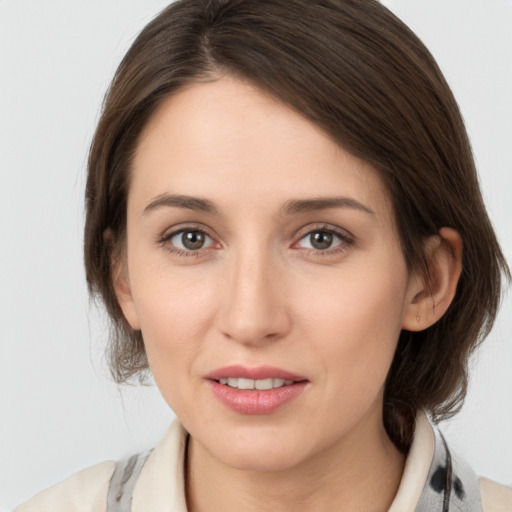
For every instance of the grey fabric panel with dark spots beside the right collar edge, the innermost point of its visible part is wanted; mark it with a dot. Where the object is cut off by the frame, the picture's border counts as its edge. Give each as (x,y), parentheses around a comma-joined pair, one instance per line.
(451,486)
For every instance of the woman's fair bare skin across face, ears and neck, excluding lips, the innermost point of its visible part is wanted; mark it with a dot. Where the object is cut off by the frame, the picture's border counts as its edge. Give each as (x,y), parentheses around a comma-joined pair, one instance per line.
(258,292)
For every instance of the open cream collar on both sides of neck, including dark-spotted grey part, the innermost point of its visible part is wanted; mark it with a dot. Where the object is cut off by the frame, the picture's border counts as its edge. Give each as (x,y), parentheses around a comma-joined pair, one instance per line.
(434,479)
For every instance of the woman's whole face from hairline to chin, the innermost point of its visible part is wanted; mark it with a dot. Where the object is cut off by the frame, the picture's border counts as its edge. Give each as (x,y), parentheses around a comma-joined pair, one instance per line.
(261,252)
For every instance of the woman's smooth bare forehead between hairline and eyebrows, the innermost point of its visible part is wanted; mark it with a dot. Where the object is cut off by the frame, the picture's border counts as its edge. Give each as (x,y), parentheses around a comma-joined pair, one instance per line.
(229,140)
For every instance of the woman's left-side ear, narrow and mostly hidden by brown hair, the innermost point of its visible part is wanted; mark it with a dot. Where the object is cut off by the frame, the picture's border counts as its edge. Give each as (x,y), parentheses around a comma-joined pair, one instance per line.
(121,280)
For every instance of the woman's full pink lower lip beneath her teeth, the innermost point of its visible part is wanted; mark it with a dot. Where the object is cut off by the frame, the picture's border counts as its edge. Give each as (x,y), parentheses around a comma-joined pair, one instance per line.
(255,401)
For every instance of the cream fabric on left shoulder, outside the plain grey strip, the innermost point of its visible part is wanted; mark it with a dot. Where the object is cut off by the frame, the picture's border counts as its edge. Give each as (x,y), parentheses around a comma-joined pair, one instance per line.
(84,491)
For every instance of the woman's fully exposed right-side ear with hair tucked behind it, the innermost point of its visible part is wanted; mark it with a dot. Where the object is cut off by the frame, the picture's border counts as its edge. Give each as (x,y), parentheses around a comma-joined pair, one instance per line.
(430,297)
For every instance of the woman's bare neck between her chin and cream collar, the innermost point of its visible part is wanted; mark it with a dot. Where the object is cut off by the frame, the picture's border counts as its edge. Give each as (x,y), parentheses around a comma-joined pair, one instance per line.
(361,472)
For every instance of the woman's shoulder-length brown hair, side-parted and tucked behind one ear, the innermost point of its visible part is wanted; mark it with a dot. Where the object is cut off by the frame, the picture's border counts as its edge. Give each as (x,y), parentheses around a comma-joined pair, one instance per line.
(360,74)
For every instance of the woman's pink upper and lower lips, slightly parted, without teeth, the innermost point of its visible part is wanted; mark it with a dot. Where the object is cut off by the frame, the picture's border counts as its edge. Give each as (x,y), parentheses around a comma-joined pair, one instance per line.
(255,402)
